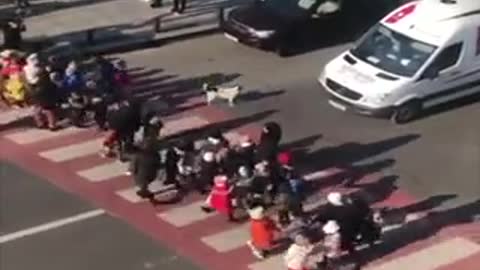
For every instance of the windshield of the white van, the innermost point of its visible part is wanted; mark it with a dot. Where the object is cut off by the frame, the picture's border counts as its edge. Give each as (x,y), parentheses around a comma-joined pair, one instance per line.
(392,51)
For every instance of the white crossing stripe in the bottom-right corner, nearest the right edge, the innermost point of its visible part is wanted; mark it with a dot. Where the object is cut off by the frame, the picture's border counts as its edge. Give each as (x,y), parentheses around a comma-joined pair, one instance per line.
(434,256)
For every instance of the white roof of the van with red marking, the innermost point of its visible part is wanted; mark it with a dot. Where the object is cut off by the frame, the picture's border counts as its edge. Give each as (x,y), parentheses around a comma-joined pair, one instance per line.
(434,21)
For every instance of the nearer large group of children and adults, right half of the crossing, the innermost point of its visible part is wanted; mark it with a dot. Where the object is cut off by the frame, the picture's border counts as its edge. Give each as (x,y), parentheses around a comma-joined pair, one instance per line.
(259,180)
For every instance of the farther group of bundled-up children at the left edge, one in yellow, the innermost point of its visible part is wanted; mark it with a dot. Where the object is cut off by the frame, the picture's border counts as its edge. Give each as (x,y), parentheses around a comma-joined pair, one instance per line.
(57,88)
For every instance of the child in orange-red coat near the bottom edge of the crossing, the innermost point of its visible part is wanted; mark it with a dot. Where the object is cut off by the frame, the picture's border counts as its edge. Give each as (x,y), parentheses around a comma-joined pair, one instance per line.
(262,233)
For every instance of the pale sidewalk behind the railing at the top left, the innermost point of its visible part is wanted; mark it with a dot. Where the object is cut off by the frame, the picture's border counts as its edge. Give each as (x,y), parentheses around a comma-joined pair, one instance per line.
(117,24)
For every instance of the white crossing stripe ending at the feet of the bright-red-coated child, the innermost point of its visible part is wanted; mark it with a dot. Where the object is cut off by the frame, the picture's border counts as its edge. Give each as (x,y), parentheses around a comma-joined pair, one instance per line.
(185,215)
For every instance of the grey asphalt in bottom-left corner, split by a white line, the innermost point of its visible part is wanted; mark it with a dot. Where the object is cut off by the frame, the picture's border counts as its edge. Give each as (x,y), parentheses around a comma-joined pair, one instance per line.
(100,242)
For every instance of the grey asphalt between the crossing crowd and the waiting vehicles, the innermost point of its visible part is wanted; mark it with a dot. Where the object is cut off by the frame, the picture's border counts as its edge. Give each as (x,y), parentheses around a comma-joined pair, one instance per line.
(436,155)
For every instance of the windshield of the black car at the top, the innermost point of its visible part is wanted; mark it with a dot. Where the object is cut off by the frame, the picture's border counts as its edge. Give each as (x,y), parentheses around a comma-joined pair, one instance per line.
(290,8)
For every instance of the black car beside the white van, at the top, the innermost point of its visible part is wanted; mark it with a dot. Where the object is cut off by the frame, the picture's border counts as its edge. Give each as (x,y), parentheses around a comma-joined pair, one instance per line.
(275,24)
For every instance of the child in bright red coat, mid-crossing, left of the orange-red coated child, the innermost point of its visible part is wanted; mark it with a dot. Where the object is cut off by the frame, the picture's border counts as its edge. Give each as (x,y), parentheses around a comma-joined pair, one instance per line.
(220,198)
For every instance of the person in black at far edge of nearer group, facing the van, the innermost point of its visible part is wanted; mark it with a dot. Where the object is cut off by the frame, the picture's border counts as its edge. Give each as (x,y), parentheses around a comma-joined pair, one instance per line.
(269,142)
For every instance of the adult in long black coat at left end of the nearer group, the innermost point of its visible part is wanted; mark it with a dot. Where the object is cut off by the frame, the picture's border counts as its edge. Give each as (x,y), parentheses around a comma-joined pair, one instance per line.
(145,167)
